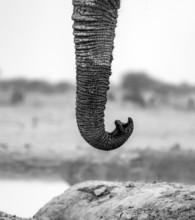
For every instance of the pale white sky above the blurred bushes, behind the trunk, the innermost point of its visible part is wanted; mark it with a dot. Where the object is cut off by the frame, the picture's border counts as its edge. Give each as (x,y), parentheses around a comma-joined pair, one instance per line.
(155,36)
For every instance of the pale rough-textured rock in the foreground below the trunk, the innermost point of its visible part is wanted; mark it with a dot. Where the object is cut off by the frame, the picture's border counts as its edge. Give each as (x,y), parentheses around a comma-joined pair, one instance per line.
(101,200)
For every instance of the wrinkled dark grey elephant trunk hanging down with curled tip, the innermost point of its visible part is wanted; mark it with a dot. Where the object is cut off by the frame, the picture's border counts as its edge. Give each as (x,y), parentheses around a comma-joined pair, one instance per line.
(94,31)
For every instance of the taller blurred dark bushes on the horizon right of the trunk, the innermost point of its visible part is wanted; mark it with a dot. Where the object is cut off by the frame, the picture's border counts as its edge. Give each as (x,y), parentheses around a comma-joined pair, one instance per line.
(143,90)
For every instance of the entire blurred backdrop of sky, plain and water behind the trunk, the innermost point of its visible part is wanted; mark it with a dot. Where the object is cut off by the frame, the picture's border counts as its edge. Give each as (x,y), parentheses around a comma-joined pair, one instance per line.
(153,81)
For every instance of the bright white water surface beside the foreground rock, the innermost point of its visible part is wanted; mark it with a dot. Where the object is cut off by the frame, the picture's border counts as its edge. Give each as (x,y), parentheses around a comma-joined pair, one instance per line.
(25,198)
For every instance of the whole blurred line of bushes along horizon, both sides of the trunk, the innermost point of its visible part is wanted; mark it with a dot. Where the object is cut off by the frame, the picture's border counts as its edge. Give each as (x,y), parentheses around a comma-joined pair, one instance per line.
(136,87)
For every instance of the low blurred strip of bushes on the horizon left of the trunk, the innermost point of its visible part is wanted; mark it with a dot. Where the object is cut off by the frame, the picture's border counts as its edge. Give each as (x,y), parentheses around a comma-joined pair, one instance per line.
(17,91)
